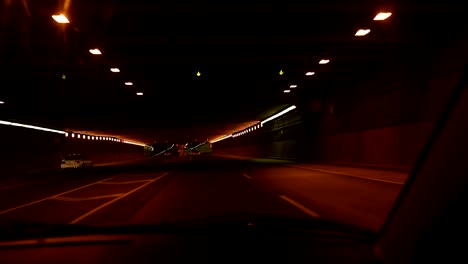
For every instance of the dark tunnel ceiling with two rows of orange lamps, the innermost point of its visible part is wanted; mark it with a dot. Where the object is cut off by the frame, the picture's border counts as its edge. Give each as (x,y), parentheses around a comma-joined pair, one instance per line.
(238,47)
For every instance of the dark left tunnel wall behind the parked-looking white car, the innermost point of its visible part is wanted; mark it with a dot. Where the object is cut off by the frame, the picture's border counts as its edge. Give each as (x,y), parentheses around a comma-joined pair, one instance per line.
(28,150)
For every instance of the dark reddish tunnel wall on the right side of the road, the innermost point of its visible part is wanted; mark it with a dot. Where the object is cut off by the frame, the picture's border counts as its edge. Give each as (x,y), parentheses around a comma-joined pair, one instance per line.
(381,122)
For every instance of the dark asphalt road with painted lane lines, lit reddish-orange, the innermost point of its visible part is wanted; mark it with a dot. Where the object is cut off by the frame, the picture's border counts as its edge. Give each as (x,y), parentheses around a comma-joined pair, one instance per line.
(152,192)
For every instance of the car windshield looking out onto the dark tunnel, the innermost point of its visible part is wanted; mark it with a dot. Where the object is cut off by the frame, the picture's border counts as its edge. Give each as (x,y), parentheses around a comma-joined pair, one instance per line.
(313,111)
